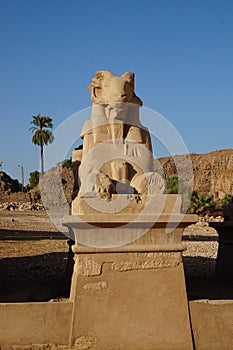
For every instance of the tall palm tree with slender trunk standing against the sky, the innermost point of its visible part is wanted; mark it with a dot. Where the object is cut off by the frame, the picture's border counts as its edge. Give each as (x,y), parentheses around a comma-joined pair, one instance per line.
(42,136)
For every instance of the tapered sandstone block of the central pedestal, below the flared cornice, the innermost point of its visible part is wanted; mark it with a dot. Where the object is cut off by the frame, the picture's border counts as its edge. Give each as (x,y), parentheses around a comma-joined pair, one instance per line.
(130,301)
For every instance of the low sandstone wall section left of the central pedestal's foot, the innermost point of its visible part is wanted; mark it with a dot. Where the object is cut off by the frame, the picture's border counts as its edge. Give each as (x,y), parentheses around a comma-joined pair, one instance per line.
(25,324)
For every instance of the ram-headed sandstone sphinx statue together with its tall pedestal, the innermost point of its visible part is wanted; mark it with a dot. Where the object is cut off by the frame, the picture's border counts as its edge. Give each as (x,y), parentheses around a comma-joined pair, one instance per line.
(128,286)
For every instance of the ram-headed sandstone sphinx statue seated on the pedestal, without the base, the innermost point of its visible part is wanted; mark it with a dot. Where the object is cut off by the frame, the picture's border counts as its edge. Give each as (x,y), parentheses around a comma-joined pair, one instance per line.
(117,152)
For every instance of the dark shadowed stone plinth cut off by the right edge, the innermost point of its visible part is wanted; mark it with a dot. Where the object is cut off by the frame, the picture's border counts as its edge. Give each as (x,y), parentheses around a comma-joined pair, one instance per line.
(224,264)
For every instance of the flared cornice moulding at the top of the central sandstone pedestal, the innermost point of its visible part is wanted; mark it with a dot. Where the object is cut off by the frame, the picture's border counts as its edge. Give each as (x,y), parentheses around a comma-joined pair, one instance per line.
(125,232)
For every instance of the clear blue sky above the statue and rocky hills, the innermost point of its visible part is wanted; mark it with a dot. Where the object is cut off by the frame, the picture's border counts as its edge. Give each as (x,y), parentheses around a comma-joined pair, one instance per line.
(181,52)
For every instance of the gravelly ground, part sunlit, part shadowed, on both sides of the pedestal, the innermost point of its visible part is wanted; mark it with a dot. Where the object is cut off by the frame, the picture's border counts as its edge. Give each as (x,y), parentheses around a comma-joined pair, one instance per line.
(34,260)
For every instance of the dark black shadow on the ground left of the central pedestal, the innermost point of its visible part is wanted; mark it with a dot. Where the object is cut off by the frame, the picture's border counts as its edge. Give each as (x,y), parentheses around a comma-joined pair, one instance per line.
(35,278)
